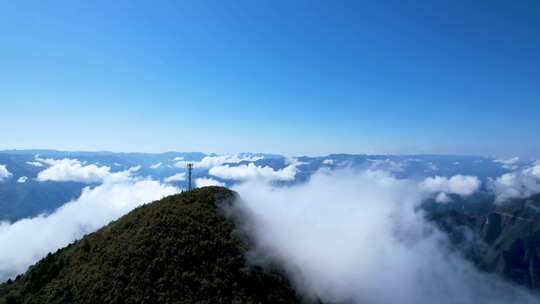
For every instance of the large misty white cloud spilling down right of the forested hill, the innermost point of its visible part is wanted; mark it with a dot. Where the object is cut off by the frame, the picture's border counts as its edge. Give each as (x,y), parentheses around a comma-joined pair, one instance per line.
(346,237)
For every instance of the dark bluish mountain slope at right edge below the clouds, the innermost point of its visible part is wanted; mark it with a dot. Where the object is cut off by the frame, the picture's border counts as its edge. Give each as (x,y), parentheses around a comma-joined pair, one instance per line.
(507,239)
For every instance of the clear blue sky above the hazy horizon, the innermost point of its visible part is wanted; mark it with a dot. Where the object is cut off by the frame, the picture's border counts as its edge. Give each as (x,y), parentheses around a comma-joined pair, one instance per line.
(295,77)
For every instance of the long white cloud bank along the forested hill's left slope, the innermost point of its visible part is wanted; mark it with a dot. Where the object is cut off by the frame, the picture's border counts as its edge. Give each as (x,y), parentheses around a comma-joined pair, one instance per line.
(26,241)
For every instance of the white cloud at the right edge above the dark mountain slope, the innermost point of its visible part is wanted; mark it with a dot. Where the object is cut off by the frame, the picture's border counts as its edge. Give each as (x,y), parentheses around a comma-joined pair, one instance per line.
(517,184)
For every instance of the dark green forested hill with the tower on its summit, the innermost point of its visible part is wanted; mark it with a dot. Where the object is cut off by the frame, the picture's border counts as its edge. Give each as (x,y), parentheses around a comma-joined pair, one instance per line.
(176,250)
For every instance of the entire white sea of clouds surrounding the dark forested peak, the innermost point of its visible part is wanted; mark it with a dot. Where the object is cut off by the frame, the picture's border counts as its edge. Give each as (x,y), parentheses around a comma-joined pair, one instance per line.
(344,235)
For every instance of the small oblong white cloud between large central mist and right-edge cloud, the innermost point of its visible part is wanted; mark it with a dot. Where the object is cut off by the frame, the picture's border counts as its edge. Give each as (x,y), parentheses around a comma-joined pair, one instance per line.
(463,185)
